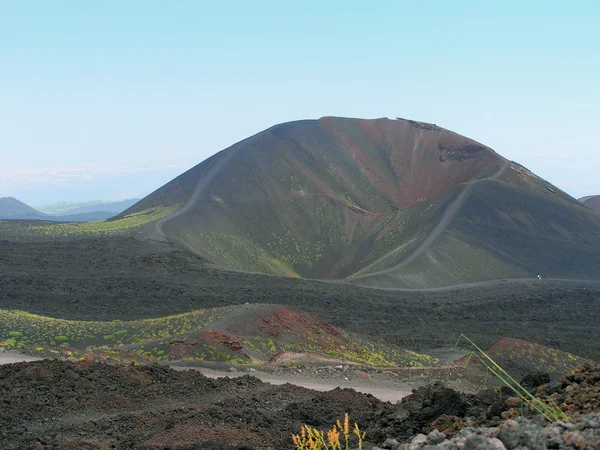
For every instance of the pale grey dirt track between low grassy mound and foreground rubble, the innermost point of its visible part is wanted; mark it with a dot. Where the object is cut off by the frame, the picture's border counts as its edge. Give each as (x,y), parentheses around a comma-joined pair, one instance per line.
(377,389)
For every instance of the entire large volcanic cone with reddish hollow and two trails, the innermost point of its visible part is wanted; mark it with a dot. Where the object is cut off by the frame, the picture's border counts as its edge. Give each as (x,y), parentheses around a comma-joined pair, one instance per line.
(337,198)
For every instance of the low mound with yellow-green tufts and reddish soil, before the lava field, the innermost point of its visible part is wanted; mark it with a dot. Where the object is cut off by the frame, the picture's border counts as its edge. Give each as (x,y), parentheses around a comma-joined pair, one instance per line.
(244,334)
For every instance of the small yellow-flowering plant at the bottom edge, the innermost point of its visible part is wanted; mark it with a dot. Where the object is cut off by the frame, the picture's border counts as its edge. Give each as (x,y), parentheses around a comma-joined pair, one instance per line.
(310,438)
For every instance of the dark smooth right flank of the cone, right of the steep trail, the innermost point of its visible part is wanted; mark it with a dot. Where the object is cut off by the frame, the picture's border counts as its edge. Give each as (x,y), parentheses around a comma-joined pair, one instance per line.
(502,231)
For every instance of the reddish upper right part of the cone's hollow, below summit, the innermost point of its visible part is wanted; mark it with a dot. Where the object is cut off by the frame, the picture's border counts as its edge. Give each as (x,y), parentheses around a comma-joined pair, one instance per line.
(413,150)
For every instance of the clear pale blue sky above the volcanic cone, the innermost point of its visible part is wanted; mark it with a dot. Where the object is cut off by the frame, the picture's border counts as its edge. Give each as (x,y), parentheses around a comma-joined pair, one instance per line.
(110,100)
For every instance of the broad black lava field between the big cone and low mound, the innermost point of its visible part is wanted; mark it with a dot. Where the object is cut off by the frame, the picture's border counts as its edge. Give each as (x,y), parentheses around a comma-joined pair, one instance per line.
(102,279)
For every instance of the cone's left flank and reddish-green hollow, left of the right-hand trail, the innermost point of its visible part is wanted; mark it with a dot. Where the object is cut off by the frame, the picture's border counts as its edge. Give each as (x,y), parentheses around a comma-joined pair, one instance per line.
(311,197)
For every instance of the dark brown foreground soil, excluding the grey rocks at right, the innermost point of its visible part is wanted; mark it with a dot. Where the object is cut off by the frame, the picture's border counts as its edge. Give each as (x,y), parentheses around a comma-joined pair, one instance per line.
(68,405)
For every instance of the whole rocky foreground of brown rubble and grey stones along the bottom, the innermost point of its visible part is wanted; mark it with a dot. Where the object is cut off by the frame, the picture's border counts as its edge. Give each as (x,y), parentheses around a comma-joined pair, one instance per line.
(89,405)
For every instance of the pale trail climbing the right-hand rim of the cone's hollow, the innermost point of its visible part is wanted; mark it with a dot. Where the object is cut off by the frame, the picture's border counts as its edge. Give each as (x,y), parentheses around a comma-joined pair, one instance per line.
(449,214)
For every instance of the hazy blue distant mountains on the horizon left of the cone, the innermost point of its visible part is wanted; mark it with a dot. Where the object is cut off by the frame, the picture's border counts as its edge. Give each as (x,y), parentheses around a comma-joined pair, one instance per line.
(11,208)
